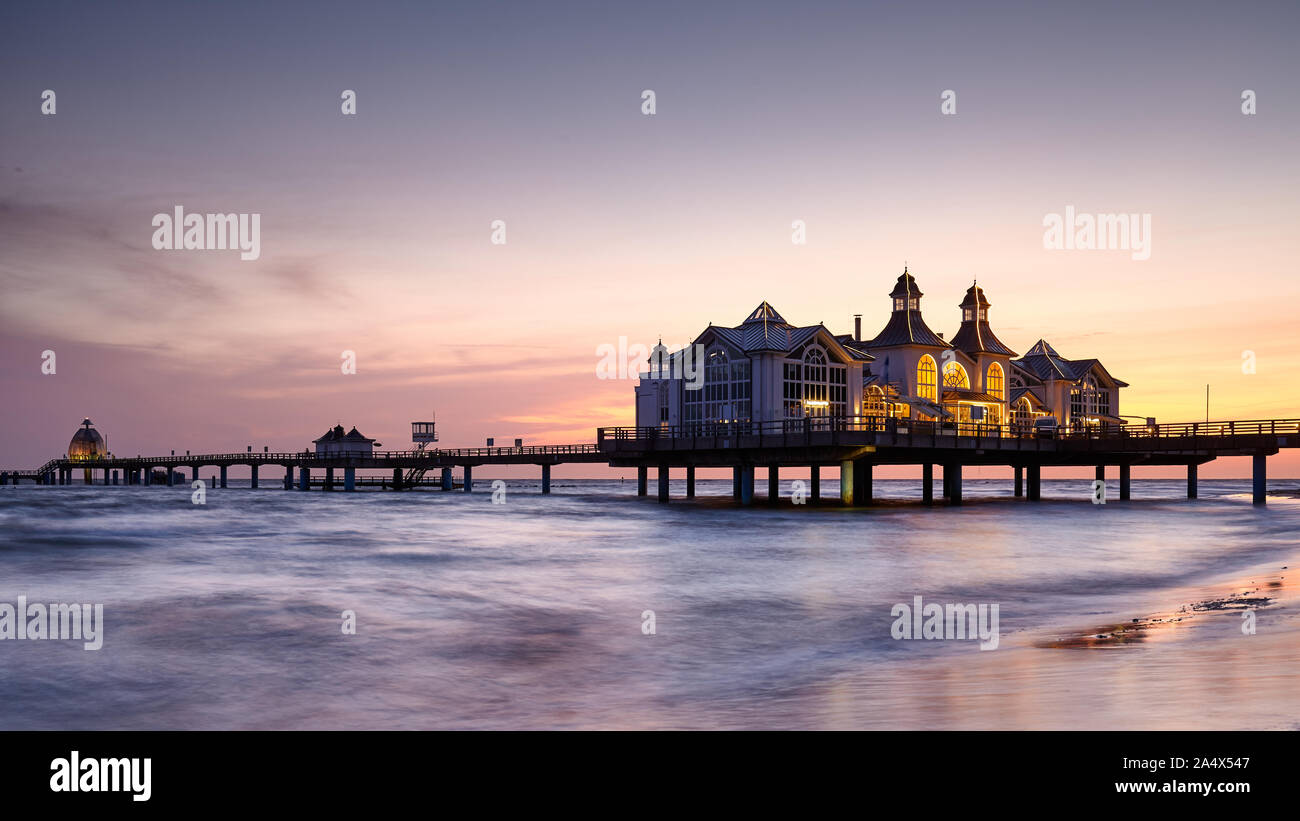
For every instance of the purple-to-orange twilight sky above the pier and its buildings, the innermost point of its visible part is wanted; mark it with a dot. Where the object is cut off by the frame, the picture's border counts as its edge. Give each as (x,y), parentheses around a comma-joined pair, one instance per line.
(378,228)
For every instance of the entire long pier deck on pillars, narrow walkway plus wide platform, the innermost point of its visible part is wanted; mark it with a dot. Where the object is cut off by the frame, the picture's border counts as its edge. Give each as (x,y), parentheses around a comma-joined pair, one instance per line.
(855,446)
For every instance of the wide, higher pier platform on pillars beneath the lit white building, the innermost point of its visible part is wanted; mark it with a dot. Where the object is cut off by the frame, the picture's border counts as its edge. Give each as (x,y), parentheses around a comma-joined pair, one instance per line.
(857,445)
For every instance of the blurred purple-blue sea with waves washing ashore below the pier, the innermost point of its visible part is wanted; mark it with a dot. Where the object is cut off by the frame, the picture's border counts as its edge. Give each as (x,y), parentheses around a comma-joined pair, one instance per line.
(593,609)
